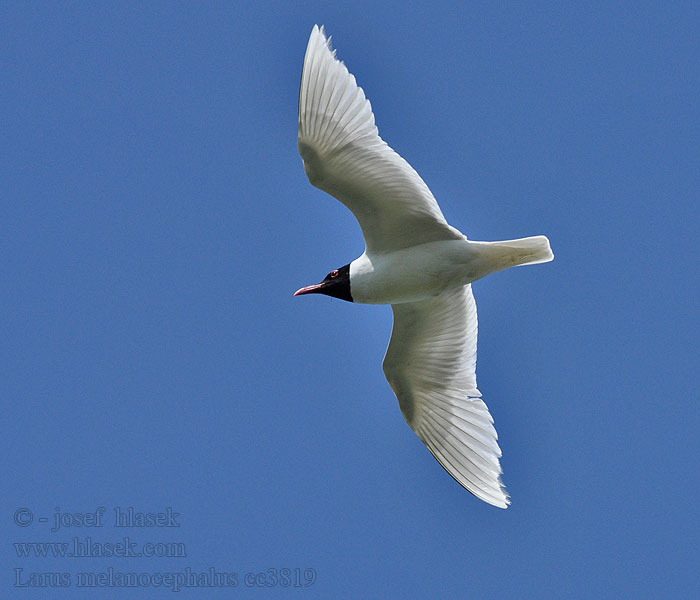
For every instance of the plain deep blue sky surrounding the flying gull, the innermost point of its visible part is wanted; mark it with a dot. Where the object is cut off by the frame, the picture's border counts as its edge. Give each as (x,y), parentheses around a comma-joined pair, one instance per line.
(157,219)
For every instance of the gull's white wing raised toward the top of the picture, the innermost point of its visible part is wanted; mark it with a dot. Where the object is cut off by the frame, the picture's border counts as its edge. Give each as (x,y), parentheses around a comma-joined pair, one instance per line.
(344,156)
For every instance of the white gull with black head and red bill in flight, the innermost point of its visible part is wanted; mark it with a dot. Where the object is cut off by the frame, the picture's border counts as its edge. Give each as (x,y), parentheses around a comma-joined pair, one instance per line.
(414,261)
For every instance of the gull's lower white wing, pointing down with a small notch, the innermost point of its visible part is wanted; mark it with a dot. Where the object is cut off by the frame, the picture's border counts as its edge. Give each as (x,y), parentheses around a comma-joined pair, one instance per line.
(431,365)
